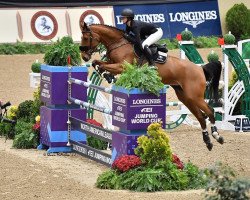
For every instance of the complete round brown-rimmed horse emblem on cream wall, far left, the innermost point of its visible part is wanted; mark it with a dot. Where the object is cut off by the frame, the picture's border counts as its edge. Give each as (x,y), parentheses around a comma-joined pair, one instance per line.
(44,25)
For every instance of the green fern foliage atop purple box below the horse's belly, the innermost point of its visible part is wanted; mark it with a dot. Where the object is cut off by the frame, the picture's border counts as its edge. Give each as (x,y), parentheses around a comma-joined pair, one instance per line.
(142,77)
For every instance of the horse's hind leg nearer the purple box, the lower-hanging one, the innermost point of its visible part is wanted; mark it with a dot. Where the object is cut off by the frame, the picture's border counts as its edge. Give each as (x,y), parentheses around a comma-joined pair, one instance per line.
(197,113)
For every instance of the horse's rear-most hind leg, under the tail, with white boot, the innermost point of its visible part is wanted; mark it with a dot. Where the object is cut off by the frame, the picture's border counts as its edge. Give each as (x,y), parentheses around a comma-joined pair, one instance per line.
(210,113)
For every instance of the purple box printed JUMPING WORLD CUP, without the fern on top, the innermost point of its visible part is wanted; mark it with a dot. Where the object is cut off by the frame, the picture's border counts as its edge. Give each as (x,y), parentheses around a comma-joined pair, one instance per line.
(136,110)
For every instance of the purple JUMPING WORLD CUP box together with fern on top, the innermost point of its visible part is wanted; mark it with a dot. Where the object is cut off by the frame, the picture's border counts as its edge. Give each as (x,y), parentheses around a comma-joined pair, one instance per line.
(139,98)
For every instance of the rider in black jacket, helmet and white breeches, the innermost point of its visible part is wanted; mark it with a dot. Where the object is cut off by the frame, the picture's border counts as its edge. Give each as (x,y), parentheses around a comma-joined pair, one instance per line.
(145,34)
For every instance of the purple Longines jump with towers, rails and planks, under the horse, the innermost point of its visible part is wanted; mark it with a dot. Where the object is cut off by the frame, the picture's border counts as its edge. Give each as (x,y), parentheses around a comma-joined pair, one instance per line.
(132,112)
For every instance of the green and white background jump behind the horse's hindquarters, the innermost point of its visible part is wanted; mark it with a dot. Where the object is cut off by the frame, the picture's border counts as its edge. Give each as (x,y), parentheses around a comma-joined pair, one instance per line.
(224,115)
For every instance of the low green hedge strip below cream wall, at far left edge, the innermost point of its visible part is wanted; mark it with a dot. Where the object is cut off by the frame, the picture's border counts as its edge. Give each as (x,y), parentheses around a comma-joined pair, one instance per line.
(22,48)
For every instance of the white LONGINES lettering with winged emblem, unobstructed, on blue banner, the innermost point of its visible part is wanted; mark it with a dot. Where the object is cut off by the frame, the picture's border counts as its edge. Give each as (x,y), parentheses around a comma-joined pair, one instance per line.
(193,18)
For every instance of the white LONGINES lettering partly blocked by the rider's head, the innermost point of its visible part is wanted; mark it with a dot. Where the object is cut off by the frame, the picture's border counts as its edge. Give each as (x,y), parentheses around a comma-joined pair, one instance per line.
(150,18)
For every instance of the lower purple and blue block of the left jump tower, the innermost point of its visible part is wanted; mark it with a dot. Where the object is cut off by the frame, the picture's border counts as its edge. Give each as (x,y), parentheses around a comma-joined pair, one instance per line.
(54,127)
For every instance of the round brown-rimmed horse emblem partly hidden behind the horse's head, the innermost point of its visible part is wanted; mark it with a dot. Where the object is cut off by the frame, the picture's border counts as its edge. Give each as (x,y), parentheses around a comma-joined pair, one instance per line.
(91,17)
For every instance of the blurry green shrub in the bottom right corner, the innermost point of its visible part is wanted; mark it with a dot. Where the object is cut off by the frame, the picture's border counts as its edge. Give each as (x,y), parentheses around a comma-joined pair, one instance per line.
(223,185)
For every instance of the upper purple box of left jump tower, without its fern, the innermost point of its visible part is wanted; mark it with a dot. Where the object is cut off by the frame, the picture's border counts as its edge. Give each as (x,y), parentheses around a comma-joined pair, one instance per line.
(54,85)
